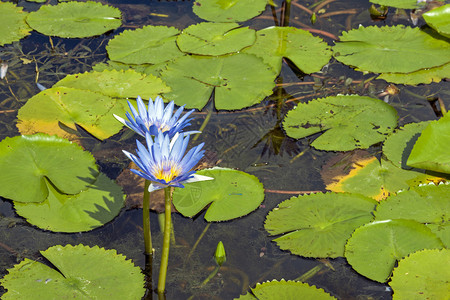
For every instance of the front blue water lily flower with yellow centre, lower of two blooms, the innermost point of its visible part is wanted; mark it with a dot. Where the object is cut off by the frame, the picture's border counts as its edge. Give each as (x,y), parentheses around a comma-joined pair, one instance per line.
(164,163)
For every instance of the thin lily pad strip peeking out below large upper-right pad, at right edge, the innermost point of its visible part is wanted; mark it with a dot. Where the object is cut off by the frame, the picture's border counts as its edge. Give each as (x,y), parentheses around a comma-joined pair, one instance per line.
(425,76)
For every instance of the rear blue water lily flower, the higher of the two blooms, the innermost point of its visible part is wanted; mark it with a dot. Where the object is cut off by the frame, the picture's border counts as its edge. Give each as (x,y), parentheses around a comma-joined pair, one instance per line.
(156,118)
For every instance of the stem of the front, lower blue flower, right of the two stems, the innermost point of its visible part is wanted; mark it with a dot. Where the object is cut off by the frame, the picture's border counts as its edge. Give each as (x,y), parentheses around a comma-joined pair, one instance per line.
(166,240)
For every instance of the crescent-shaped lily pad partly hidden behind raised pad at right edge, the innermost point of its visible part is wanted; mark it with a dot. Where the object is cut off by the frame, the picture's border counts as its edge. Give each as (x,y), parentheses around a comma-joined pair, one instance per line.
(398,145)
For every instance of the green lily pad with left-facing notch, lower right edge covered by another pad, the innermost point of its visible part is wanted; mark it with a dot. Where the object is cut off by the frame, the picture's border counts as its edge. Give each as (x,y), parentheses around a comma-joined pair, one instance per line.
(318,225)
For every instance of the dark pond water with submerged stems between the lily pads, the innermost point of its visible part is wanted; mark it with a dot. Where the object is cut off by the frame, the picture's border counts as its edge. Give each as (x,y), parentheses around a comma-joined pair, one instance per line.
(250,140)
